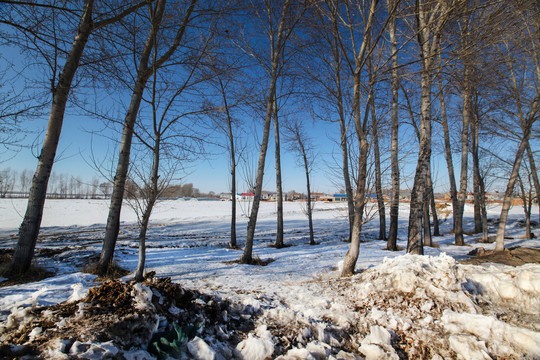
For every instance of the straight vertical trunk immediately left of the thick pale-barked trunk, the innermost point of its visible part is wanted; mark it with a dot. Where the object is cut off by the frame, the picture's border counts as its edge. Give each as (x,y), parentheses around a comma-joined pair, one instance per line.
(394,151)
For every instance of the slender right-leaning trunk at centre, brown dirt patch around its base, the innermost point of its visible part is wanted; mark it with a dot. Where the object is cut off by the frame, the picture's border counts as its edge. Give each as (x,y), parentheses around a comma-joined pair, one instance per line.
(275,56)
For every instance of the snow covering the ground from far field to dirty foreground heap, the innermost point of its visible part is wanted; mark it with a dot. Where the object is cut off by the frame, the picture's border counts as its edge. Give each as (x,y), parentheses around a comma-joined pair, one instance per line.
(398,306)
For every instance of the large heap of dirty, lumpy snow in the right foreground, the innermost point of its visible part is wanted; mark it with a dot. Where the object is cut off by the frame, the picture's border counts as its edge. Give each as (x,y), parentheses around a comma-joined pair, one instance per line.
(446,309)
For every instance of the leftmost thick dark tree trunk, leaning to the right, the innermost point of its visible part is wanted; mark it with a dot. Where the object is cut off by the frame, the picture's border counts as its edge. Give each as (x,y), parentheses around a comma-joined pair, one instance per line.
(29,229)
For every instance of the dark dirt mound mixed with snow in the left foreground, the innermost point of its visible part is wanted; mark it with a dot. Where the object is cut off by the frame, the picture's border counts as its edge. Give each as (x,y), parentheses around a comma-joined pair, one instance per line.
(116,318)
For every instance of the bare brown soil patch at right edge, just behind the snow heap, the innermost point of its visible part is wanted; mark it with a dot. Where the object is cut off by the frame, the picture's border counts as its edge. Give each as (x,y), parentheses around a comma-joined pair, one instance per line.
(514,256)
